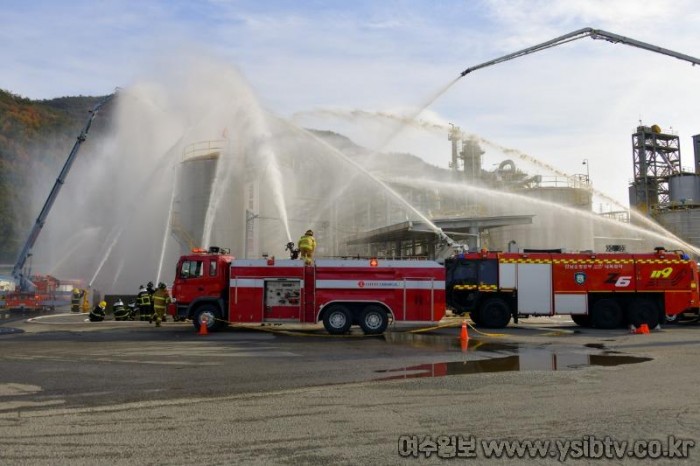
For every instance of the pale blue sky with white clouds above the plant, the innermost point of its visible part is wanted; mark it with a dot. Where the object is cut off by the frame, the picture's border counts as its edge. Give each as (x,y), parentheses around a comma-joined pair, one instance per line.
(577,101)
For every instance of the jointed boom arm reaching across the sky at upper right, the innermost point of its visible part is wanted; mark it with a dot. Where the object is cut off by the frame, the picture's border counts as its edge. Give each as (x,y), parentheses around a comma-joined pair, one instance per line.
(579,34)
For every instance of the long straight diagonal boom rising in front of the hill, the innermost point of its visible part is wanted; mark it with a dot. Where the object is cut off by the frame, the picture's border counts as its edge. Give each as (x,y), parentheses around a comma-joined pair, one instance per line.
(17,273)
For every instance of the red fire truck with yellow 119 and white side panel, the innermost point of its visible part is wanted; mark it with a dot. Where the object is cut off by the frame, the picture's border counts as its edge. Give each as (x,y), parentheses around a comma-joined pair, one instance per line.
(602,290)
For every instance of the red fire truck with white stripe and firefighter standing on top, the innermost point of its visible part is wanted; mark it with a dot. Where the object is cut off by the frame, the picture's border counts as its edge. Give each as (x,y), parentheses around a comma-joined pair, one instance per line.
(213,287)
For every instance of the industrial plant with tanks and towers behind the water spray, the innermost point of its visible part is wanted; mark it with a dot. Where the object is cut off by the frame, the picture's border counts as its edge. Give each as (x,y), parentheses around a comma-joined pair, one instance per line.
(394,208)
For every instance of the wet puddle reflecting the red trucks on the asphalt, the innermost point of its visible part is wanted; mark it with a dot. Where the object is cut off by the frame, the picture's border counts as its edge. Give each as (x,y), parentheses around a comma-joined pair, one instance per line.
(515,358)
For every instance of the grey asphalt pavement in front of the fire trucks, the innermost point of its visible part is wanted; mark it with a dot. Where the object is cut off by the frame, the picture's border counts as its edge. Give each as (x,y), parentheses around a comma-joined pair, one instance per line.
(76,392)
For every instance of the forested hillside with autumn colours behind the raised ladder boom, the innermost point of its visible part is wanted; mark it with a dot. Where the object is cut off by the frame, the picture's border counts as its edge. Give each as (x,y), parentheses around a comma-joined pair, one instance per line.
(34,135)
